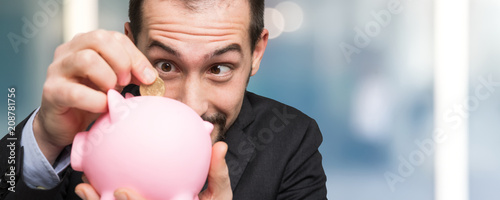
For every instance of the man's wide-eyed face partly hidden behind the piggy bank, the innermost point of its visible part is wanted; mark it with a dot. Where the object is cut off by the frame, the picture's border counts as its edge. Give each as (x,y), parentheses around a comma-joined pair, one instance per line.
(202,52)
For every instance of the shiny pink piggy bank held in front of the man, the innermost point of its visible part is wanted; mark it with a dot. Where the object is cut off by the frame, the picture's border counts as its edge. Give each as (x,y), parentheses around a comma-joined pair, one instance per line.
(155,145)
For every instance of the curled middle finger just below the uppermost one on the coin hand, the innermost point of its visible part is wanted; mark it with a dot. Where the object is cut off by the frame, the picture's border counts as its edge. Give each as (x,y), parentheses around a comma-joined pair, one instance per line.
(88,64)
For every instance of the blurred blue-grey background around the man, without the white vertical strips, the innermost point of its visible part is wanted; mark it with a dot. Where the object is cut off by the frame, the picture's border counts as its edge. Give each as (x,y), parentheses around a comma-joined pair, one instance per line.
(370,90)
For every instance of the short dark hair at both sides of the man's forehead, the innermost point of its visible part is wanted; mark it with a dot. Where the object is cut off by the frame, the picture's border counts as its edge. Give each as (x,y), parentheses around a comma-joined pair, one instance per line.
(255,29)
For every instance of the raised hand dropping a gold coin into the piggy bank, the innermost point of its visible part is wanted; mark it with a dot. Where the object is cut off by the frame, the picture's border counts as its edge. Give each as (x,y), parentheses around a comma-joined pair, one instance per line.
(74,93)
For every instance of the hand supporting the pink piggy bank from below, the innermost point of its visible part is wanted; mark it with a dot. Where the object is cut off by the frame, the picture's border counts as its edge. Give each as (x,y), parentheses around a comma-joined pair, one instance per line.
(219,185)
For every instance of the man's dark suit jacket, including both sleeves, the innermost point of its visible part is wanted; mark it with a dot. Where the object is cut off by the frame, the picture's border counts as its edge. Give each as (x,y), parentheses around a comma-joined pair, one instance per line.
(273,154)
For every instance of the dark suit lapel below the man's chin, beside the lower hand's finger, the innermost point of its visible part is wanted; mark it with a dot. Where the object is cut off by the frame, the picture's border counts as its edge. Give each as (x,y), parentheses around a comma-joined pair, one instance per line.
(240,146)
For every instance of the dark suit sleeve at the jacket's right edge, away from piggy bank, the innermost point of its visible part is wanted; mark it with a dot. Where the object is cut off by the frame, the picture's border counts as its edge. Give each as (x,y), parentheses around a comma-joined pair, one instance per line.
(304,177)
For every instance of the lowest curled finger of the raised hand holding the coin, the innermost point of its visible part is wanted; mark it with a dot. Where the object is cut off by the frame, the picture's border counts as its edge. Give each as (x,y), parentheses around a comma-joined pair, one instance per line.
(70,94)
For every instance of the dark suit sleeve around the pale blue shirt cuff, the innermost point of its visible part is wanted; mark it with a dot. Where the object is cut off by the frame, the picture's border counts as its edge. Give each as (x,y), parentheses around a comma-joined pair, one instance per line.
(12,185)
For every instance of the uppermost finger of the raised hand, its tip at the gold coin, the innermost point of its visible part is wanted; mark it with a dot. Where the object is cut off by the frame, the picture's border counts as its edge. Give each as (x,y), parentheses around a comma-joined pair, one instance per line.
(121,54)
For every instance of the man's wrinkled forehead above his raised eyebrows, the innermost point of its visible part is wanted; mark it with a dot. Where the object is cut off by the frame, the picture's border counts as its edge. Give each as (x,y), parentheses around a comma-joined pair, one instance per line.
(198,17)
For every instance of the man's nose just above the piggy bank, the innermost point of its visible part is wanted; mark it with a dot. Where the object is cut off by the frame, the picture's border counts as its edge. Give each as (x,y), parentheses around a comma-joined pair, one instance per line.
(194,96)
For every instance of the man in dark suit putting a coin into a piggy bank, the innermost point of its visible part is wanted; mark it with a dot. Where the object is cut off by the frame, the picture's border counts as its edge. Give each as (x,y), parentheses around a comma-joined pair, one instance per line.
(205,51)
